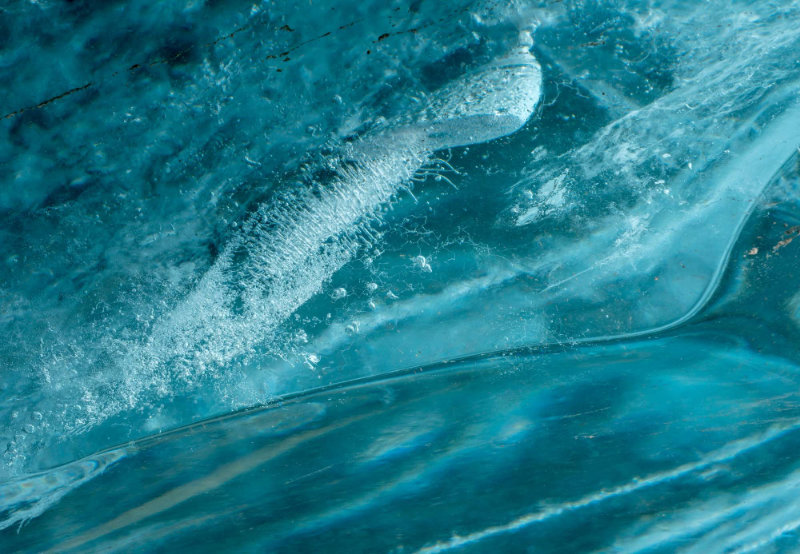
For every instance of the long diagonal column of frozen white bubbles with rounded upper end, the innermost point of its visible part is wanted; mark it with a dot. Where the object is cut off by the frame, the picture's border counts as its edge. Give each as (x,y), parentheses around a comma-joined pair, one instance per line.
(291,246)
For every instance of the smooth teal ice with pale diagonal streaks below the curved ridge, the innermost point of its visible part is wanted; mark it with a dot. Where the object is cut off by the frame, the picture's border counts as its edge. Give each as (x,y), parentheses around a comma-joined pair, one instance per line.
(681,440)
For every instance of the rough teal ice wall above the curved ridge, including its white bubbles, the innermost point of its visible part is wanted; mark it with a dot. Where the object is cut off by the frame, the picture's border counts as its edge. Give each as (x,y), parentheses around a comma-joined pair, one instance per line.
(210,205)
